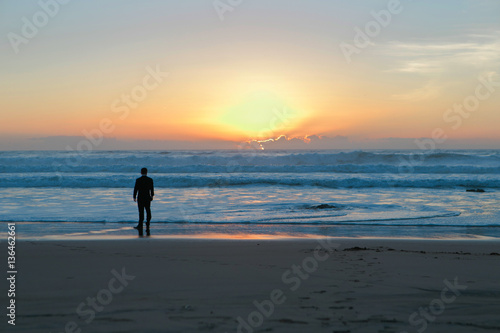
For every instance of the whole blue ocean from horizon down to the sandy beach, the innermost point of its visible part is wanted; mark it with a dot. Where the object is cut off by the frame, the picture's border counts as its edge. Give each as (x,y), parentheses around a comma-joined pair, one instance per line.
(246,193)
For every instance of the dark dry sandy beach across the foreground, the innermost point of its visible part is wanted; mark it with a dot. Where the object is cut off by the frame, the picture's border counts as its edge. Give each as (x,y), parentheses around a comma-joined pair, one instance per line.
(282,285)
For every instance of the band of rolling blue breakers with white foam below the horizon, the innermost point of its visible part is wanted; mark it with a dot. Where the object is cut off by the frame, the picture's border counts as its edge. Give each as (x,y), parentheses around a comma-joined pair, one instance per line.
(332,169)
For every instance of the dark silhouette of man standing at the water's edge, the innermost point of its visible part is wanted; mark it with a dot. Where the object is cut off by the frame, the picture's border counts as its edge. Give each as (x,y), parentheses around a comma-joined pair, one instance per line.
(143,195)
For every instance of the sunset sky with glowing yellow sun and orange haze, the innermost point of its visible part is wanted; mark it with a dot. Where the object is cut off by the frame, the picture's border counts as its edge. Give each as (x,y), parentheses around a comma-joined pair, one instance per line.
(205,71)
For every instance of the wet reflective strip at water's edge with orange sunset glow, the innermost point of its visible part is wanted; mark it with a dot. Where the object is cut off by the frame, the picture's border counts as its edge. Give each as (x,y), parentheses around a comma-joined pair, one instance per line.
(88,231)
